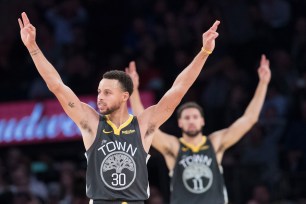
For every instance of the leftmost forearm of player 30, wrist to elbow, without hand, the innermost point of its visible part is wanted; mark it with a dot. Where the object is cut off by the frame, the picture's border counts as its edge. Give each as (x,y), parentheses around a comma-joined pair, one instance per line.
(44,67)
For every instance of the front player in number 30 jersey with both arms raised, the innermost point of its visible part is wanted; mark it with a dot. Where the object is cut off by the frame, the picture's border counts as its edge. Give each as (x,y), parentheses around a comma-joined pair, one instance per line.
(116,143)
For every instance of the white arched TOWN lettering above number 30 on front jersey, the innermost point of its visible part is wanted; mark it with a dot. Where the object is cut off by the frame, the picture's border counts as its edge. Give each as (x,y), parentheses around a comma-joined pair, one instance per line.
(121,146)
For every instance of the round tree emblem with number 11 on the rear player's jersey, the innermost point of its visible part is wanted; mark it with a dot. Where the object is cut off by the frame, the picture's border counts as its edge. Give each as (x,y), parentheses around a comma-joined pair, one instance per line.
(197,178)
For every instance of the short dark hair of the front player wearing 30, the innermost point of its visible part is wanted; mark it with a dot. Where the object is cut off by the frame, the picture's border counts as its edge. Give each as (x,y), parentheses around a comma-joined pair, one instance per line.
(124,79)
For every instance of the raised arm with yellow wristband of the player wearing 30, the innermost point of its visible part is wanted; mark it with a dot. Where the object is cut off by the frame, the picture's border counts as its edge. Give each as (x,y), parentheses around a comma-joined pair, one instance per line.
(156,115)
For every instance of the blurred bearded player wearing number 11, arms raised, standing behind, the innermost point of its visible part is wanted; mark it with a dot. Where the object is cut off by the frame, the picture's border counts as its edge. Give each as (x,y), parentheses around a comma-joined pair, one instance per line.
(194,160)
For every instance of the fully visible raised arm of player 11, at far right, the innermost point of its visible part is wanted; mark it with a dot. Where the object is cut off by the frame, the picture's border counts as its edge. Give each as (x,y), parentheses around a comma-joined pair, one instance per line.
(225,138)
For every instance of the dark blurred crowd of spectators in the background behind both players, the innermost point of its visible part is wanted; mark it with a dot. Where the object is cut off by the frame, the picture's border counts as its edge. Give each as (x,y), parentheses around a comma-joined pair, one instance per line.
(83,39)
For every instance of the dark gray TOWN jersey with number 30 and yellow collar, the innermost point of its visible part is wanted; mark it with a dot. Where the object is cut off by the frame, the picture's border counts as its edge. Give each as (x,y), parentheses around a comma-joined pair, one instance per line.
(116,163)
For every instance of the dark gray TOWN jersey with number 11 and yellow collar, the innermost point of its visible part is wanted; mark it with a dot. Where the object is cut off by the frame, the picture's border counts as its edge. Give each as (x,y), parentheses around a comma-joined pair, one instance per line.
(196,175)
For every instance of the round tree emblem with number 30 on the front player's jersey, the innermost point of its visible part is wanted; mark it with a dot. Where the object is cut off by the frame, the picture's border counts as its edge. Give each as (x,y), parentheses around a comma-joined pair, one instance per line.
(118,170)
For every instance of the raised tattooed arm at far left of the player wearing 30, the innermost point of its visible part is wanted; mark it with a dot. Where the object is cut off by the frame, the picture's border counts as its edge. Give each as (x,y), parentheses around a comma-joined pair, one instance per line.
(83,115)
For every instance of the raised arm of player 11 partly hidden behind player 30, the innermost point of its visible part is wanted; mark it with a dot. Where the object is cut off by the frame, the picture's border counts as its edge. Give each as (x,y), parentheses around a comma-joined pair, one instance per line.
(166,144)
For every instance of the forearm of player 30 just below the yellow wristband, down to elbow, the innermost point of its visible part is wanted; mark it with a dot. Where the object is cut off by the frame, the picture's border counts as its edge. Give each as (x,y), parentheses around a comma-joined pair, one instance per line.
(187,77)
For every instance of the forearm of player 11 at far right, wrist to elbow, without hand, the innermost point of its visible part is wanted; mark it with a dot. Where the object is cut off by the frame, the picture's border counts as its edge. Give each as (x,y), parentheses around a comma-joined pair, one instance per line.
(254,108)
